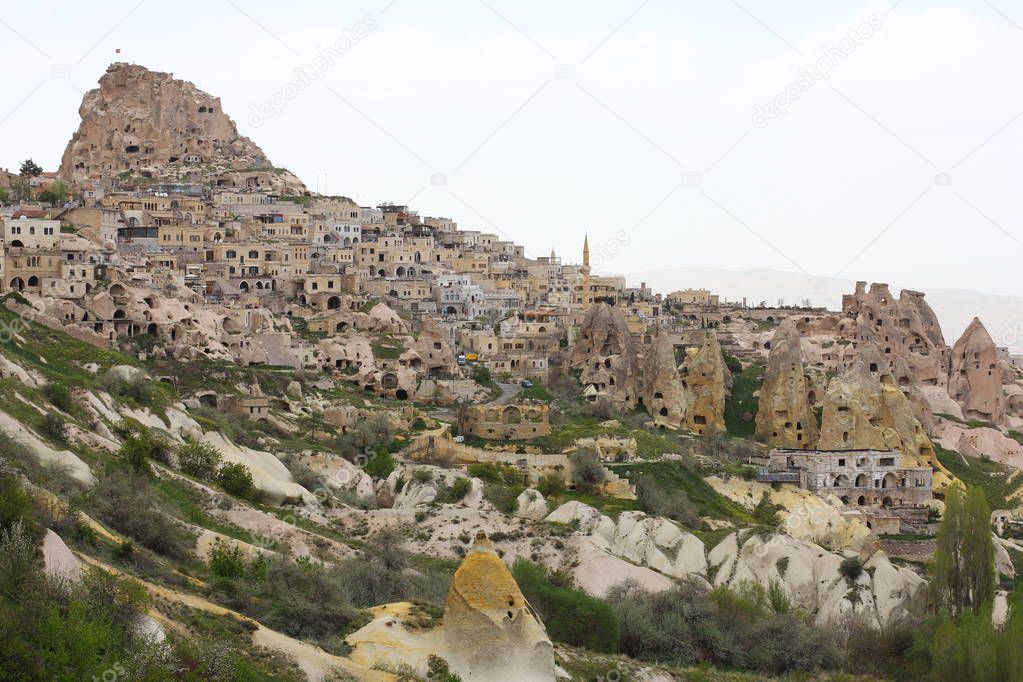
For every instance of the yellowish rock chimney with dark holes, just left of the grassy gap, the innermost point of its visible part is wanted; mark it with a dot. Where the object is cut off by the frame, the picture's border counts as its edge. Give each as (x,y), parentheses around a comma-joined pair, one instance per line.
(707,383)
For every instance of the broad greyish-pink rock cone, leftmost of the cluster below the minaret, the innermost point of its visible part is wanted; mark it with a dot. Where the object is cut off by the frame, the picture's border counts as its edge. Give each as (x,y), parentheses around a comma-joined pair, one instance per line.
(607,355)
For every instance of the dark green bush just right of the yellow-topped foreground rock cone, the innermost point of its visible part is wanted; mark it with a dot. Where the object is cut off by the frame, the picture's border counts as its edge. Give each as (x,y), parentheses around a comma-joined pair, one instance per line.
(571,616)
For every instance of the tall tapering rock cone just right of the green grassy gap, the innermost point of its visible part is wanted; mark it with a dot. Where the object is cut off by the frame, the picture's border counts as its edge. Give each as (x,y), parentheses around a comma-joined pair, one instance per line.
(785,418)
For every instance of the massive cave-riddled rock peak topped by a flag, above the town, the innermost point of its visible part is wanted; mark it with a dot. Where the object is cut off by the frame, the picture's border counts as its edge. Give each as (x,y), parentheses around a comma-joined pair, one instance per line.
(144,121)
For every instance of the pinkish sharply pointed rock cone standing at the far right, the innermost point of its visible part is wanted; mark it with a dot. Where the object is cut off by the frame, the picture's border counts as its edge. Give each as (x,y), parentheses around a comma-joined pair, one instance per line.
(975,379)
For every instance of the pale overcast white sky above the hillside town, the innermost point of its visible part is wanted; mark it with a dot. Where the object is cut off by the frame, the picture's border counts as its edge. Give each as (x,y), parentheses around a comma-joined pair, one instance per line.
(857,141)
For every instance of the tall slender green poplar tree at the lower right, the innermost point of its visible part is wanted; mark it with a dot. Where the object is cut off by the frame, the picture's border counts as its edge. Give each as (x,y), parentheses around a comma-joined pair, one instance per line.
(964,561)
